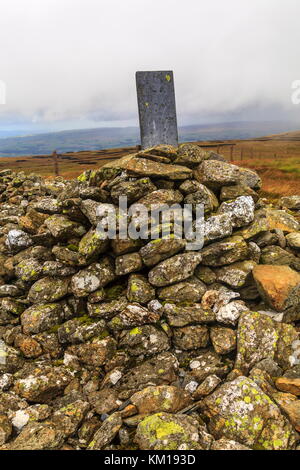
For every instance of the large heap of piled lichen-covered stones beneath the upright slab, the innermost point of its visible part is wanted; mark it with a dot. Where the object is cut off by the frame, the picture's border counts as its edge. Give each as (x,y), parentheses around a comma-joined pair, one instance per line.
(142,344)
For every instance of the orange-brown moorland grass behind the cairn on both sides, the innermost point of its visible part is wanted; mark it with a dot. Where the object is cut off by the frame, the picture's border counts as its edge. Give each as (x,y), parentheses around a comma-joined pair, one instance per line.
(276,161)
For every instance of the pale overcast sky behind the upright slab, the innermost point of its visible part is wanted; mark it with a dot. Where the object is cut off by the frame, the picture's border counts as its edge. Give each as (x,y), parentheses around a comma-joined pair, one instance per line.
(72,63)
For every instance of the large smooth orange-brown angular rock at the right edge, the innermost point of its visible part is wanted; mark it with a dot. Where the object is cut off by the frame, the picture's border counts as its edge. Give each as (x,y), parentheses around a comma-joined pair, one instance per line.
(278,285)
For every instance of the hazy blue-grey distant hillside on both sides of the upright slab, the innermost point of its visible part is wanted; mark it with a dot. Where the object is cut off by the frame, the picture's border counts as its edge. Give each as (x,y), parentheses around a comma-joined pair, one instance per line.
(104,138)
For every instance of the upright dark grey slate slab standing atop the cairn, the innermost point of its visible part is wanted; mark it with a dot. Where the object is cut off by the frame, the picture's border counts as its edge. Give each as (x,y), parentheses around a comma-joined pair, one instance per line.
(157,108)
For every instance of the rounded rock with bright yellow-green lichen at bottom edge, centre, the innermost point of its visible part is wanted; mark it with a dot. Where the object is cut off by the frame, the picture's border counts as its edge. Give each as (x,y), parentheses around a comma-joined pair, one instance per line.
(163,431)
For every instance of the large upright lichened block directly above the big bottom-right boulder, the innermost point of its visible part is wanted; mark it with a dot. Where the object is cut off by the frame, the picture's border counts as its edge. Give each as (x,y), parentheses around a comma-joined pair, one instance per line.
(259,337)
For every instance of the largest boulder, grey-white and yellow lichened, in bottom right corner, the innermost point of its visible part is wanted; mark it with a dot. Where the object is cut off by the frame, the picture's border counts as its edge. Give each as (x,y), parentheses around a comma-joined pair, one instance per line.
(239,410)
